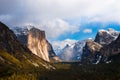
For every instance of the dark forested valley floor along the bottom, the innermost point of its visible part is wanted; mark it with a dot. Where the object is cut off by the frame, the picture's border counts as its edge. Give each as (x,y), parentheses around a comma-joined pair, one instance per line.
(68,72)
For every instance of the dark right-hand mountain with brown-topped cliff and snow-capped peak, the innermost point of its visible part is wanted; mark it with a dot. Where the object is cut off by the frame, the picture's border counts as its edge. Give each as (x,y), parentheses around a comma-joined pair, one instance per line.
(99,50)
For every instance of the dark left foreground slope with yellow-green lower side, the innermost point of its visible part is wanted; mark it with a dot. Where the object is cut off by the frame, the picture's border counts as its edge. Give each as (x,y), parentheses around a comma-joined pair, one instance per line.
(15,55)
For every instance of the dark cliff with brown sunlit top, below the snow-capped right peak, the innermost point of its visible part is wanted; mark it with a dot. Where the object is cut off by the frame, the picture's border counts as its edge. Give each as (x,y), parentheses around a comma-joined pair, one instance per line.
(90,52)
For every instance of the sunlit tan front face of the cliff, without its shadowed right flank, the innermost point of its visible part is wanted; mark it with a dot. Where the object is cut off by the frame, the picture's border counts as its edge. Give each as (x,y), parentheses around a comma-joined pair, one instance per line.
(37,43)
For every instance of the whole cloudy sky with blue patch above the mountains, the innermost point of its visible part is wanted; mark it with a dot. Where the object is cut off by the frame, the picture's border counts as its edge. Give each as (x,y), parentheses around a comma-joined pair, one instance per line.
(63,20)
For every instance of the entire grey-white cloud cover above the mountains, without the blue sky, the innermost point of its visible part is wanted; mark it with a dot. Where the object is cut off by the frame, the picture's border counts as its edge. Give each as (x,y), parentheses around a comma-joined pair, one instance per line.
(45,13)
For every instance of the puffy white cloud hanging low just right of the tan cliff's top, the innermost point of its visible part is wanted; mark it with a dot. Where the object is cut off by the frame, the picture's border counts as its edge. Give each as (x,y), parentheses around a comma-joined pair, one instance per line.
(57,27)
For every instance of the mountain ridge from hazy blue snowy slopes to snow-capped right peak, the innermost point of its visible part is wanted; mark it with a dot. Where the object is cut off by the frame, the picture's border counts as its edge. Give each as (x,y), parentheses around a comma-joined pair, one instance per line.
(89,51)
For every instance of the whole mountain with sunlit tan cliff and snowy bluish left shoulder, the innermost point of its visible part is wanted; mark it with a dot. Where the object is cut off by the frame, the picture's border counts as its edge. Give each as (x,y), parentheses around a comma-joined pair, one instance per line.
(36,41)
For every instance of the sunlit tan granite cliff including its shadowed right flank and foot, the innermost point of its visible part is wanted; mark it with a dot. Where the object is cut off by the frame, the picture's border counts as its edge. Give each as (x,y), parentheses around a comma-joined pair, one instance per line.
(38,44)
